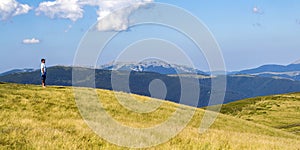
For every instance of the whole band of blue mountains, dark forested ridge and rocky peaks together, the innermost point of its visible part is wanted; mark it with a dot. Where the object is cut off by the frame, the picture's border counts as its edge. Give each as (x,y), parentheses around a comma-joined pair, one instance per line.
(261,81)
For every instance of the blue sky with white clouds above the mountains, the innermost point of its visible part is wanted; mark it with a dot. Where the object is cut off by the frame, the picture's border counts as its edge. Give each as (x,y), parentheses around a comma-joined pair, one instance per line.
(250,33)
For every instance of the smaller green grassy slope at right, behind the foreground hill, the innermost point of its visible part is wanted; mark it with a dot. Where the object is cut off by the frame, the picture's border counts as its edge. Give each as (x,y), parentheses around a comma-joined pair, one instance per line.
(277,111)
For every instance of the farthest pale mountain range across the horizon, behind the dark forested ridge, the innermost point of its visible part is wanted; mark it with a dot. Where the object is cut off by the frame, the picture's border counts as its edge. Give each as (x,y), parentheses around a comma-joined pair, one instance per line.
(291,71)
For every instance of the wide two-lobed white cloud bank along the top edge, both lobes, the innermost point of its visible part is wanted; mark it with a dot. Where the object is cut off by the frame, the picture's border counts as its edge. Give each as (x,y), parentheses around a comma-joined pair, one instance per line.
(73,10)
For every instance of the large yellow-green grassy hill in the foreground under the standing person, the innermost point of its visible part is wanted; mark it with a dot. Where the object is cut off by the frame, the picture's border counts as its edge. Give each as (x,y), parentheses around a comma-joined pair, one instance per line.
(35,118)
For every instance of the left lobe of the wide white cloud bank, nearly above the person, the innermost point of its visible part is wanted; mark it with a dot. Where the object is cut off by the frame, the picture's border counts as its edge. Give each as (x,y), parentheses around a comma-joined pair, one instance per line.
(68,9)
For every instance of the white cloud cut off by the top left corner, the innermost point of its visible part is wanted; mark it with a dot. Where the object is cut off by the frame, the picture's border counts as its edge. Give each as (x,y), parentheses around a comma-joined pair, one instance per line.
(10,8)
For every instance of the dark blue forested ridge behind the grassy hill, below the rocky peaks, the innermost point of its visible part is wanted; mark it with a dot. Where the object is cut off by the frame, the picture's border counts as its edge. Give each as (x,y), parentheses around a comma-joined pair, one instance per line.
(238,86)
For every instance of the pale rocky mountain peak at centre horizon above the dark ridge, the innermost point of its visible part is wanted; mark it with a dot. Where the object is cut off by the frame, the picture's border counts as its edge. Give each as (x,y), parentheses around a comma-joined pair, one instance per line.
(151,66)
